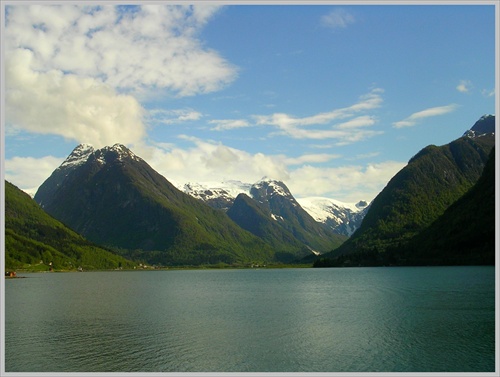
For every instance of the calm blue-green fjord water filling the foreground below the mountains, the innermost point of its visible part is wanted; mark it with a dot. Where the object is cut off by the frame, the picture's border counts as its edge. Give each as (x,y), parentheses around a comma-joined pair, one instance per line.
(404,319)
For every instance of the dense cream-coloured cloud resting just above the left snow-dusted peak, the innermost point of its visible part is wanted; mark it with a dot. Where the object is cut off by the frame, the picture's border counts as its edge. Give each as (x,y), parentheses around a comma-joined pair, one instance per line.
(80,109)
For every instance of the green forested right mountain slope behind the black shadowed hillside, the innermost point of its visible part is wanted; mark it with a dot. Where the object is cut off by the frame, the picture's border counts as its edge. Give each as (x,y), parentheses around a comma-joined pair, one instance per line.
(419,194)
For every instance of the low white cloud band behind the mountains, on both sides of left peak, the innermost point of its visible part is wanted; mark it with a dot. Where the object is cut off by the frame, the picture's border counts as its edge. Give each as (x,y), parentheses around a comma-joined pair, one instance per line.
(209,161)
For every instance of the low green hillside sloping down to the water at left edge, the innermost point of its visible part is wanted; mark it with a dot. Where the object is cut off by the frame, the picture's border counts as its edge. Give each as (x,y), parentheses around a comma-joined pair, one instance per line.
(35,240)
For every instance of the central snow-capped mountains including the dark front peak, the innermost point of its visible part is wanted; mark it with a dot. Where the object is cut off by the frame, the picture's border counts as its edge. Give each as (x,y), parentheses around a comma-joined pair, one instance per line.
(275,215)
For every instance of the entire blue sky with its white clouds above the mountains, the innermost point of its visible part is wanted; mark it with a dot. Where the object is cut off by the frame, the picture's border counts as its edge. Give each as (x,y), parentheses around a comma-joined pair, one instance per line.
(332,99)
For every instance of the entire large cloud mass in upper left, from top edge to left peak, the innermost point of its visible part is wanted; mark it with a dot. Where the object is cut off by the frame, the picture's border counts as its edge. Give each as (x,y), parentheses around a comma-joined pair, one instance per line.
(76,71)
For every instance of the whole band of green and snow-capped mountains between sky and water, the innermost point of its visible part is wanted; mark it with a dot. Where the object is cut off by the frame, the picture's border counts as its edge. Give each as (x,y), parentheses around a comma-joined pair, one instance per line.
(113,198)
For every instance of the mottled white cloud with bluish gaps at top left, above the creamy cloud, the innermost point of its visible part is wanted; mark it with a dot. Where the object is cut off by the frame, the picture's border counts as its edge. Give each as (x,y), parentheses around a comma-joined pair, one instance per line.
(146,46)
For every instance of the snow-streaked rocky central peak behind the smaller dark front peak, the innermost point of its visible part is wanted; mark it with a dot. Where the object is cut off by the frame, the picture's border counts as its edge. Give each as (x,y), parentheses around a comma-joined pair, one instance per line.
(275,197)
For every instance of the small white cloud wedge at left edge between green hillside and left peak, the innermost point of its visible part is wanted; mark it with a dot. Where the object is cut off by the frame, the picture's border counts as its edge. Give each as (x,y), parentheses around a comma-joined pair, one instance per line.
(29,173)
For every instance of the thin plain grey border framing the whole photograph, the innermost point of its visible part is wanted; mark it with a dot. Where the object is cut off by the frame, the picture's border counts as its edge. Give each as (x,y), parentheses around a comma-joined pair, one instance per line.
(4,3)
